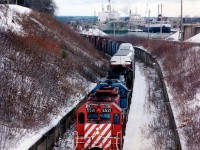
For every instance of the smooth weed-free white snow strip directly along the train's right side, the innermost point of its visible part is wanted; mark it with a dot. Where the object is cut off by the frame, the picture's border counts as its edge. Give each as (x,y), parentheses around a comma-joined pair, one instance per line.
(137,118)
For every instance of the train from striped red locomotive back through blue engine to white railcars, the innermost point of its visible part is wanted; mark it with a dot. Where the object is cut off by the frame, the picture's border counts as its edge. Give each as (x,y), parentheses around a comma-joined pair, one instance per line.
(101,120)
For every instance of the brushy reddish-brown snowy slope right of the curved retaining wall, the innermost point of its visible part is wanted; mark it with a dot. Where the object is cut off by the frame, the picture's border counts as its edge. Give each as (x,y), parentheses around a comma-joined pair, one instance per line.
(180,66)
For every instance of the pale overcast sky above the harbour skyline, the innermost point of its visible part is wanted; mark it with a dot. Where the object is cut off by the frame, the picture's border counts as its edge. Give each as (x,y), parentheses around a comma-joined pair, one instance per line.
(171,8)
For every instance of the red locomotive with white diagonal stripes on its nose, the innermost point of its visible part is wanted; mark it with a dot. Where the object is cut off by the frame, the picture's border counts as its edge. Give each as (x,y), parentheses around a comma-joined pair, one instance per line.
(99,122)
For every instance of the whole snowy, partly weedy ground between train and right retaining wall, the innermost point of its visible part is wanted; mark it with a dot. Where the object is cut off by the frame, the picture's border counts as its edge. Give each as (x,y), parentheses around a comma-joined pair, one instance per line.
(148,125)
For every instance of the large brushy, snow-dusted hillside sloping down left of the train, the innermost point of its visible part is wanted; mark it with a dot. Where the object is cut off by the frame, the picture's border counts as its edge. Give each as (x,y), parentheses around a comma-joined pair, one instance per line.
(45,69)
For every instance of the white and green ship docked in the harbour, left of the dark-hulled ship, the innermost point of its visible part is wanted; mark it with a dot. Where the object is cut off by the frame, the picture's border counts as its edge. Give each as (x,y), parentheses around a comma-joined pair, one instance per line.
(109,21)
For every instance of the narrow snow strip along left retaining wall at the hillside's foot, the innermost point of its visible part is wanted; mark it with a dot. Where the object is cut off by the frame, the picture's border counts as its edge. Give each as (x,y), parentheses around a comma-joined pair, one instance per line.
(31,138)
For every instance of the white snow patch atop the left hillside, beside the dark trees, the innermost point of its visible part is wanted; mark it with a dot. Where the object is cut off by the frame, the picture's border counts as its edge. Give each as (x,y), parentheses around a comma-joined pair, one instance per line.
(10,19)
